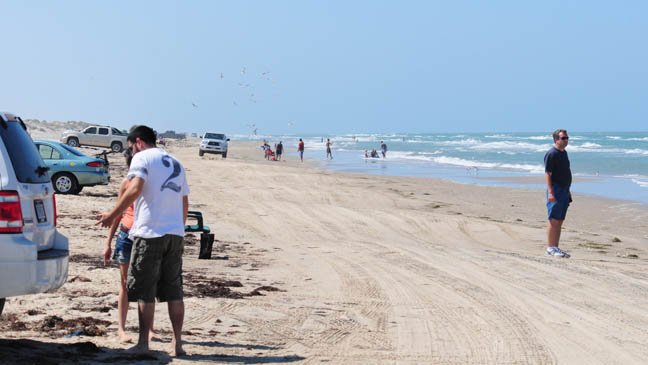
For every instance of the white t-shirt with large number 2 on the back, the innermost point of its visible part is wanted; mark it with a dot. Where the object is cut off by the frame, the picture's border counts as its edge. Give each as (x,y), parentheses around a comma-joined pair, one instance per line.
(158,211)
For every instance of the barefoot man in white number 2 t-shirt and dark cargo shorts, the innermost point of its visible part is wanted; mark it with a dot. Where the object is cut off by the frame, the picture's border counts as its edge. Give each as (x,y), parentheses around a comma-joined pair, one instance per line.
(159,194)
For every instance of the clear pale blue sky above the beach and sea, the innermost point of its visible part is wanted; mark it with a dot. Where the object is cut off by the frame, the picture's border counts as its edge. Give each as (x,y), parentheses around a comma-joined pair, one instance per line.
(343,66)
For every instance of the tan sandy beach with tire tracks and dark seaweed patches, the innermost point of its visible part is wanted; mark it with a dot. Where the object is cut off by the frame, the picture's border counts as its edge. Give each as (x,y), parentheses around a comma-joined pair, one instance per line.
(316,266)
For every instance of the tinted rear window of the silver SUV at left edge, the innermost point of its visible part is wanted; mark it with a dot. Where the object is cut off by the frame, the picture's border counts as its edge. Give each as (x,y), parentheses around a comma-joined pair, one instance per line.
(24,156)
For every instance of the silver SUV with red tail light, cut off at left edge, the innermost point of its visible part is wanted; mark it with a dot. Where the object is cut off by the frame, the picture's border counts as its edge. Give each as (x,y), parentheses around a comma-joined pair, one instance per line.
(33,255)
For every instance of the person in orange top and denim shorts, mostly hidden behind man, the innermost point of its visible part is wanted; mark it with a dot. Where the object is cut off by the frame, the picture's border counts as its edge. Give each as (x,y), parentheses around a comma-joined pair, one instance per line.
(122,253)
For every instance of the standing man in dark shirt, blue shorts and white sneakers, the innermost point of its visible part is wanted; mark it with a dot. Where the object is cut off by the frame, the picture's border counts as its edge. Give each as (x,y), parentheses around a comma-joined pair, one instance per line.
(558,178)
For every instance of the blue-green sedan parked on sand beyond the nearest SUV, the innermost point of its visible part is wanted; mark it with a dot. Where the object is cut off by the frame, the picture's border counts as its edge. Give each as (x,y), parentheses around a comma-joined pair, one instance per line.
(70,169)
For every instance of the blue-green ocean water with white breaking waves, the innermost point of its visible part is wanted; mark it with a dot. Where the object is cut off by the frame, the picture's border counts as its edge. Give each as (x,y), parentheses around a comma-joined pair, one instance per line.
(608,164)
